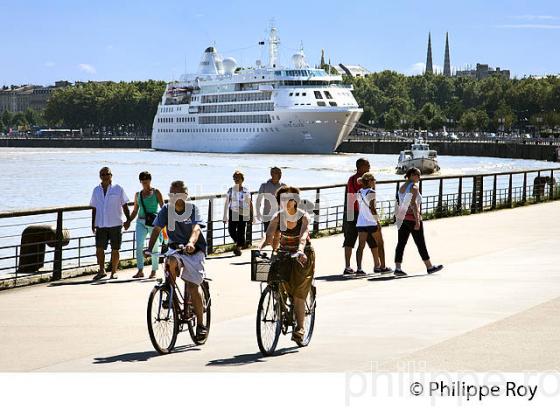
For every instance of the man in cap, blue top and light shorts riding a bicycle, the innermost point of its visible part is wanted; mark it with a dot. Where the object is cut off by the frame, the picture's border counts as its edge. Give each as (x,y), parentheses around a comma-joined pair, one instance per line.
(187,246)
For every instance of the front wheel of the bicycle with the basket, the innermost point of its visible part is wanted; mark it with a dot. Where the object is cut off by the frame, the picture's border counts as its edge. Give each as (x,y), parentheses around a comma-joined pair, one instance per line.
(269,323)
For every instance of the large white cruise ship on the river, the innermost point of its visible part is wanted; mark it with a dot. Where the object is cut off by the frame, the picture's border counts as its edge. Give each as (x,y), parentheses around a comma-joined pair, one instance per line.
(266,109)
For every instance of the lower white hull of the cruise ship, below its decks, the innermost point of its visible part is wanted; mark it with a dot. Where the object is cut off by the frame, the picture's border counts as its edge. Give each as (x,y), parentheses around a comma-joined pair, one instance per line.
(296,132)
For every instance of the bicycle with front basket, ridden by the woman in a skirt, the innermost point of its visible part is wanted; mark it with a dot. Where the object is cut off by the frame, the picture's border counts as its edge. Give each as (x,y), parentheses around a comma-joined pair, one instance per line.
(275,312)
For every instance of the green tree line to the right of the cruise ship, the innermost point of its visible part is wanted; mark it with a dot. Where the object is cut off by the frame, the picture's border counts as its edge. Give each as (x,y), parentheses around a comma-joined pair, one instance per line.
(394,101)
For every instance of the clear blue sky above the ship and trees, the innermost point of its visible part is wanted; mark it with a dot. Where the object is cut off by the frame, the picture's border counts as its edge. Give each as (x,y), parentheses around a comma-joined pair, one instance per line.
(44,41)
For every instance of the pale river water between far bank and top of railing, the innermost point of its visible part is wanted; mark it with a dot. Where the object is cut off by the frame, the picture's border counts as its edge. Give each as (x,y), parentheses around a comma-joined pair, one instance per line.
(42,177)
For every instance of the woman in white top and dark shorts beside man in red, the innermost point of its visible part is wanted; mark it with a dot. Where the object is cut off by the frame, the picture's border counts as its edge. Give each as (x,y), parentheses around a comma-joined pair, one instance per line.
(368,226)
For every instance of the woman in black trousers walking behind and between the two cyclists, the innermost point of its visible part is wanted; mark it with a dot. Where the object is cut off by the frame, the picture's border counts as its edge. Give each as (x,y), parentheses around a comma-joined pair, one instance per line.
(238,211)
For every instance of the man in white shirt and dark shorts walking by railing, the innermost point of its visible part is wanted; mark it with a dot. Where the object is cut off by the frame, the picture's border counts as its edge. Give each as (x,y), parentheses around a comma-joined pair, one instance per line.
(109,202)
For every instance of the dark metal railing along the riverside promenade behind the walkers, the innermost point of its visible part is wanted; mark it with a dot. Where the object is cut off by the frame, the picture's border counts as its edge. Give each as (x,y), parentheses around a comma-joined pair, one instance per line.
(442,196)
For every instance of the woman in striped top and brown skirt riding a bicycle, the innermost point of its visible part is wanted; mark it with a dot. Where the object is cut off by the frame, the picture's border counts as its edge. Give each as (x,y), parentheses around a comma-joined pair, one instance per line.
(296,257)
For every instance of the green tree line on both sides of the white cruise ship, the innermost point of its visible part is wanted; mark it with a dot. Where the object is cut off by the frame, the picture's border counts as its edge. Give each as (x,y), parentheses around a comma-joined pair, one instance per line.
(390,100)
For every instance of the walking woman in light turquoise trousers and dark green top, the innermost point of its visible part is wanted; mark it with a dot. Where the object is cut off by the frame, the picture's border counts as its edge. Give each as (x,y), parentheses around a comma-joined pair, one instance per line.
(146,205)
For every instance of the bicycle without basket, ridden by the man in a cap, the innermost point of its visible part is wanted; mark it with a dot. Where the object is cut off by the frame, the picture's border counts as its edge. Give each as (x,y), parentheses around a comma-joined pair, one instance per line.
(169,311)
